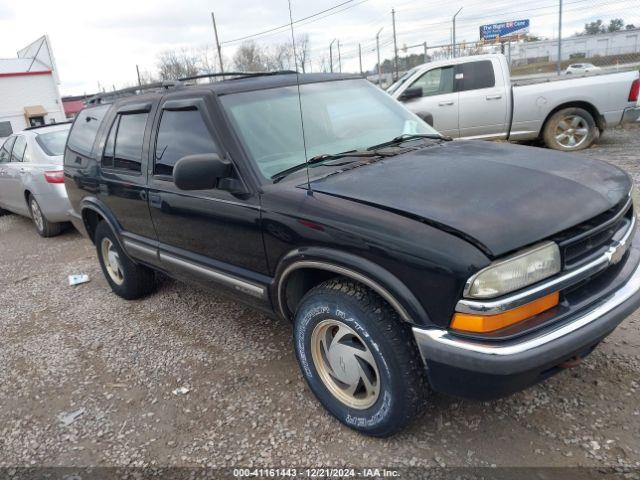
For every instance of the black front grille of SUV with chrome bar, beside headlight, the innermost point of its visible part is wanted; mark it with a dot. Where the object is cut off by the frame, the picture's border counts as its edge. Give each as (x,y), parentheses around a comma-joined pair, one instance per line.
(592,238)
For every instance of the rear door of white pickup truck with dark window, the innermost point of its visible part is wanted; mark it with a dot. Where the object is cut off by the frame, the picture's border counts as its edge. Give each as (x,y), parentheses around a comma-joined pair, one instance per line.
(482,98)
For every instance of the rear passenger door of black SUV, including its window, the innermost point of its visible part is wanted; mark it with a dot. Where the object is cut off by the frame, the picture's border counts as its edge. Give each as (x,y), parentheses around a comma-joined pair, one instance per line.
(123,162)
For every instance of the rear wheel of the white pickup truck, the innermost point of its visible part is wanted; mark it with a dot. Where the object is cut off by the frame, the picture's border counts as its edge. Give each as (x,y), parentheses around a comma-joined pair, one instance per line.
(570,130)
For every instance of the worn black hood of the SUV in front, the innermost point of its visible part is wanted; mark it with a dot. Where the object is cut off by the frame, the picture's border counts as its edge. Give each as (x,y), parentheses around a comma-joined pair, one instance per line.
(502,197)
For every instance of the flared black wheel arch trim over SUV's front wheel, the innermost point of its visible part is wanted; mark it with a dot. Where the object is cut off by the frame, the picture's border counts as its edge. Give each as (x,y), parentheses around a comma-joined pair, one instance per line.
(303,269)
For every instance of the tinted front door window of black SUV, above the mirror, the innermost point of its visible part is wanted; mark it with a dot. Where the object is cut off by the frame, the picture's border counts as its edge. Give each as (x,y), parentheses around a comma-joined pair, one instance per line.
(181,133)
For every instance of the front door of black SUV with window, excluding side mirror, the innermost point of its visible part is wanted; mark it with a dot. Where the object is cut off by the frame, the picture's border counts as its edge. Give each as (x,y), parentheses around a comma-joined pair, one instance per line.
(209,235)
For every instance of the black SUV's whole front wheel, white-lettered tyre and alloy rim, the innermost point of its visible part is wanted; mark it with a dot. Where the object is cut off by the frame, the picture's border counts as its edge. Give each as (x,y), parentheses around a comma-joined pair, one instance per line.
(359,358)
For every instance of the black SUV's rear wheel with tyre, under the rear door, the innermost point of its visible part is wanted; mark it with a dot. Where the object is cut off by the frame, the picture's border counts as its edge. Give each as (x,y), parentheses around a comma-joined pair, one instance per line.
(126,278)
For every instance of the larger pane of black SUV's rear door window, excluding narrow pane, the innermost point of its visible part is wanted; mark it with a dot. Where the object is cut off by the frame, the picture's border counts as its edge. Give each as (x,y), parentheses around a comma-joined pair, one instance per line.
(129,139)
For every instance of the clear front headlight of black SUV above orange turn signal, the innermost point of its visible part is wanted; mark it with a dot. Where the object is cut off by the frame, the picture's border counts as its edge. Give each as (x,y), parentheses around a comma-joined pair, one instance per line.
(518,271)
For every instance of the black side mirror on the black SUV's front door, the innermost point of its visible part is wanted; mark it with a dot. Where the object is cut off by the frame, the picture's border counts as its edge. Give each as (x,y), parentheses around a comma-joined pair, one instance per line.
(200,172)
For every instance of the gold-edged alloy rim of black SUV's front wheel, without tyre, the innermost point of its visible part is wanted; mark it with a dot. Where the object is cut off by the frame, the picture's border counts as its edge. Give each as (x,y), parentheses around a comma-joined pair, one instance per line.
(345,364)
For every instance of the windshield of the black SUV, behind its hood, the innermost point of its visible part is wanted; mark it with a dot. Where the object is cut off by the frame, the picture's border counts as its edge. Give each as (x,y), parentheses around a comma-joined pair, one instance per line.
(338,117)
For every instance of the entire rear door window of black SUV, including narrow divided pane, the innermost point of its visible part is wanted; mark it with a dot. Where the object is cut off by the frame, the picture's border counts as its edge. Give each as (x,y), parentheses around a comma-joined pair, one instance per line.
(123,150)
